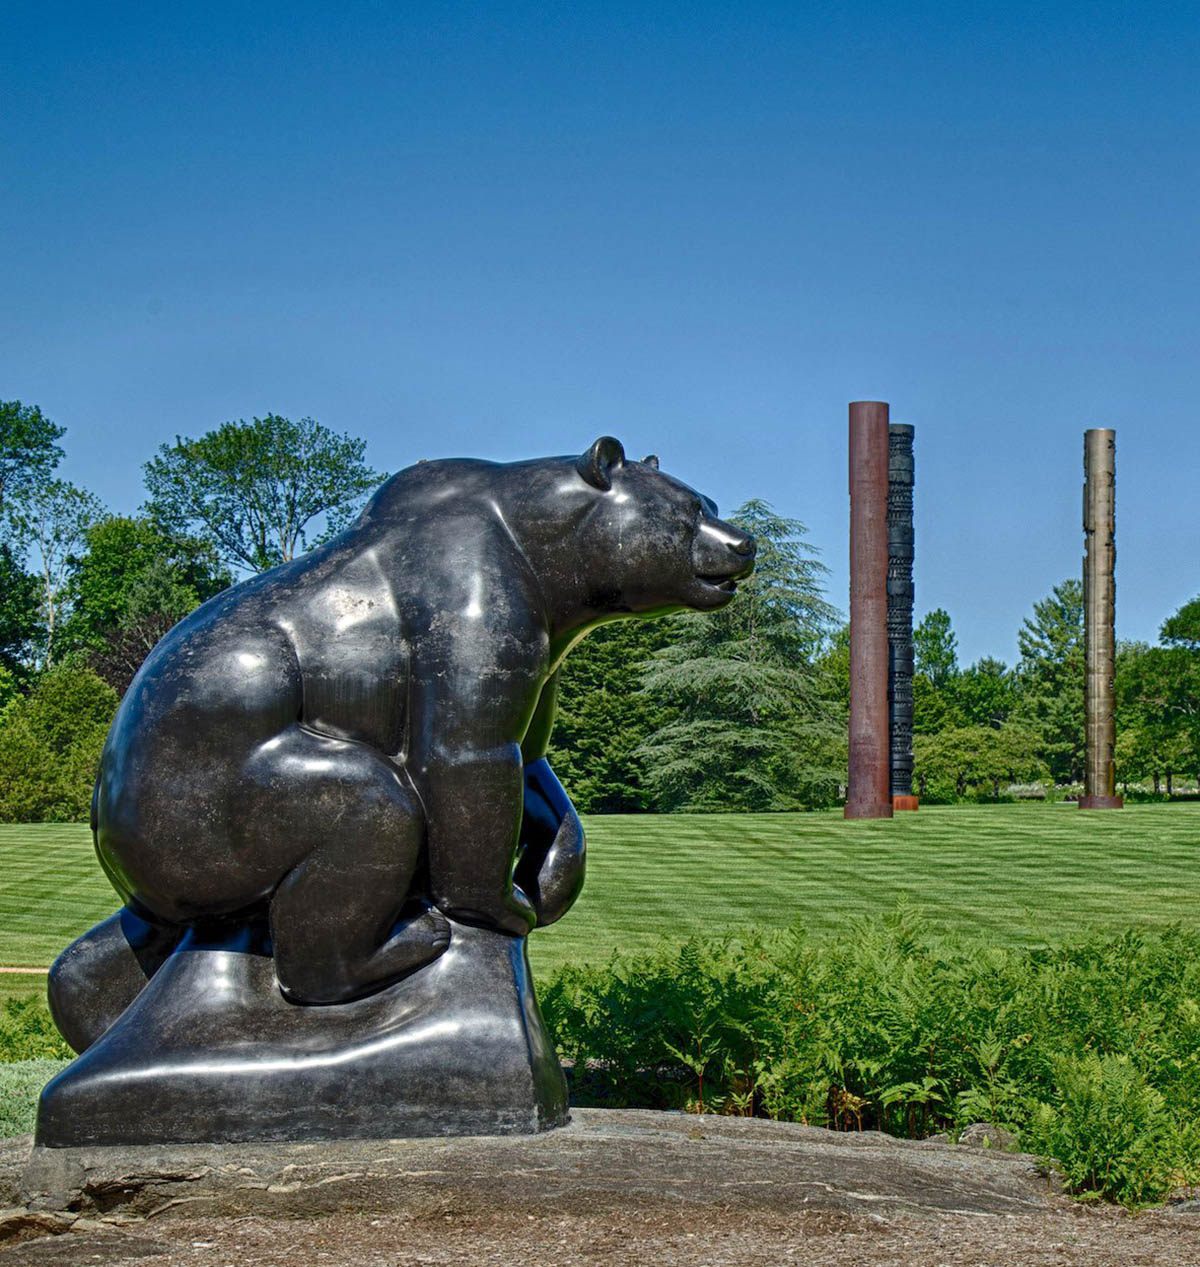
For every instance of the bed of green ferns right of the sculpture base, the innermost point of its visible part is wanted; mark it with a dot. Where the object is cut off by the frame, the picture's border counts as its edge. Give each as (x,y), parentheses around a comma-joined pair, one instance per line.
(1088,1052)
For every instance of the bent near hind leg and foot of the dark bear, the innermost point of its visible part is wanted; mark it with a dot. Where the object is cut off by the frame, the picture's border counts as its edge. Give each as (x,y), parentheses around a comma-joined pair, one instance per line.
(344,920)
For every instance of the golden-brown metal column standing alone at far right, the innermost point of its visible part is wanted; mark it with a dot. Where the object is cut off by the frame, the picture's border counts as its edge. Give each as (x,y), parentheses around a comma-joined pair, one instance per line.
(1101,618)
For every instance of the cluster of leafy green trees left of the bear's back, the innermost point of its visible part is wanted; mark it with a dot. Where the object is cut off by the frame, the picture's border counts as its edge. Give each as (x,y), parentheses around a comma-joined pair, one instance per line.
(86,594)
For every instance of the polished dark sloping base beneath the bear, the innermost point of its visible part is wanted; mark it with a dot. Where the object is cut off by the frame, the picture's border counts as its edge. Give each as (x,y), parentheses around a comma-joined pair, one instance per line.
(211,1052)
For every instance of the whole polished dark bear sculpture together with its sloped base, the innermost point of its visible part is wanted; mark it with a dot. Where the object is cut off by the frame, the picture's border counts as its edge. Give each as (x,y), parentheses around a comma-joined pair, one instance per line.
(326,806)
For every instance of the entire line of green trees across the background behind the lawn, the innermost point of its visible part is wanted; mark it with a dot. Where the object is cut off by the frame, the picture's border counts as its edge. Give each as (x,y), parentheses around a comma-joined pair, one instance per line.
(739,710)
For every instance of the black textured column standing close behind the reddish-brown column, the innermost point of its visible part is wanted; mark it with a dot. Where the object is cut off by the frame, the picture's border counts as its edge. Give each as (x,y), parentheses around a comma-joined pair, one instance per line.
(900,551)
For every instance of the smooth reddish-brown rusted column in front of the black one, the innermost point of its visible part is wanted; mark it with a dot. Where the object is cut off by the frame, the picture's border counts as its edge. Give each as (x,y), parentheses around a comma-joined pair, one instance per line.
(869,795)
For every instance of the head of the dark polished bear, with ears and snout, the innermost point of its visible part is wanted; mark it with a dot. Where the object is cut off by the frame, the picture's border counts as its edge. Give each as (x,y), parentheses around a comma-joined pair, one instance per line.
(652,544)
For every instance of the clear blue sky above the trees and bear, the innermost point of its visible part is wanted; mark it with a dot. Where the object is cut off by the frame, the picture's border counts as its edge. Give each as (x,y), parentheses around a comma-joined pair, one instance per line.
(502,230)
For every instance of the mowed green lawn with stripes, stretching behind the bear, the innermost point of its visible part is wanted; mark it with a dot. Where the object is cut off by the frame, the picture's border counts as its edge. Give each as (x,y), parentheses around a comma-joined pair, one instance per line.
(1012,874)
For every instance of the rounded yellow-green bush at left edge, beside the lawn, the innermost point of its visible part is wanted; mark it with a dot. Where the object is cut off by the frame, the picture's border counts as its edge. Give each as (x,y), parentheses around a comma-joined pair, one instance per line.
(50,747)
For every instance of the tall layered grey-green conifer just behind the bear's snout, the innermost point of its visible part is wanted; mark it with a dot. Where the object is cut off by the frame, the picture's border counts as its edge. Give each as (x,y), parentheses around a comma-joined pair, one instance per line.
(748,725)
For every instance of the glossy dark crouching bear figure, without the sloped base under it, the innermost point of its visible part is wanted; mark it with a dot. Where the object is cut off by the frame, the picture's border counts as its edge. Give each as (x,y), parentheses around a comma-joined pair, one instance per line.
(348,753)
